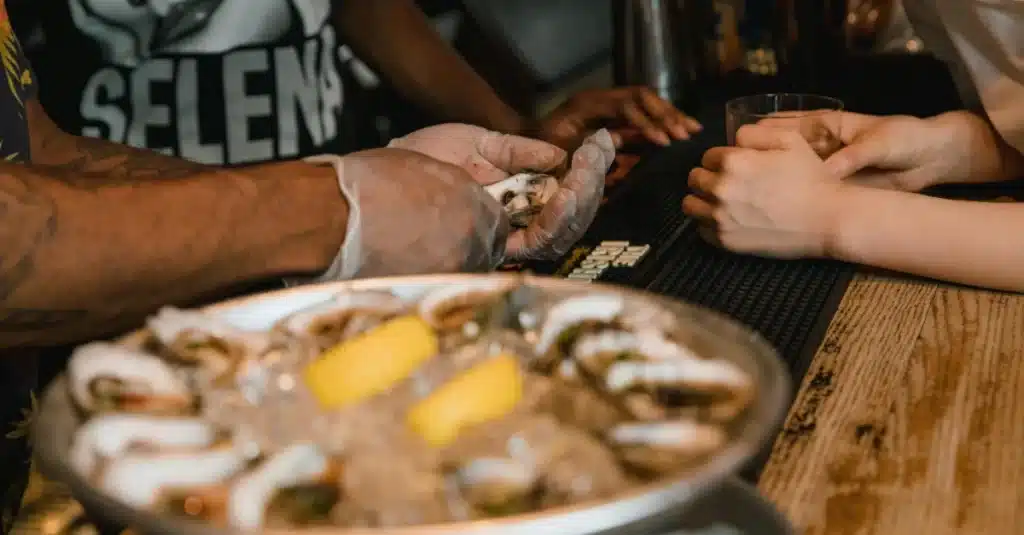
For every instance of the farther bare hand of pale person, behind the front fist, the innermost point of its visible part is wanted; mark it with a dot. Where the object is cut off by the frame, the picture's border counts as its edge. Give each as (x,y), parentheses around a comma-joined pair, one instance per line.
(897,152)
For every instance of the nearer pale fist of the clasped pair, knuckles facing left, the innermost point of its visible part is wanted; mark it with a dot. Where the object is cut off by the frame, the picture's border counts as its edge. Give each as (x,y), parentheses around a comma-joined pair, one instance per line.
(771,195)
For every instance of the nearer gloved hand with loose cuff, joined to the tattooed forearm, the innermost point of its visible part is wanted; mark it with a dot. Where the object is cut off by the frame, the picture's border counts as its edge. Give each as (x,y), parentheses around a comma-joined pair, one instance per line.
(410,214)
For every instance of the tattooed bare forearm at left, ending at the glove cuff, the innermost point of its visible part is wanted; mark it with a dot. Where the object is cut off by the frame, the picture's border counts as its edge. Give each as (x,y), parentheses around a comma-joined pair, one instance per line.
(94,239)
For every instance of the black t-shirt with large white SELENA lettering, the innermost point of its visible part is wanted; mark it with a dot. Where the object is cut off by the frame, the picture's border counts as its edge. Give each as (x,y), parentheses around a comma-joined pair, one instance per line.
(227,83)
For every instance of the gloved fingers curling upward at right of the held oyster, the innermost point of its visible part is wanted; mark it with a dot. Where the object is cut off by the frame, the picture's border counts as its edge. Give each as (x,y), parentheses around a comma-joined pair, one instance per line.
(569,214)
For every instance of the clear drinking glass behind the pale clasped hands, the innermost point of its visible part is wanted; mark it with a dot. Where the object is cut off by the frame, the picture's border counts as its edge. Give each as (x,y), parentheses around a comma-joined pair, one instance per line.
(817,117)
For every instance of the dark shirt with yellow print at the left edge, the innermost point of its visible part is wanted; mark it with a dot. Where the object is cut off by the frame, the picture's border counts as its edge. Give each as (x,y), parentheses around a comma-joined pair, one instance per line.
(18,372)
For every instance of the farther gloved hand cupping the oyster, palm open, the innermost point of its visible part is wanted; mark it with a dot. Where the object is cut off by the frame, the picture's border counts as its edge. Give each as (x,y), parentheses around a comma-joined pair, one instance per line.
(491,157)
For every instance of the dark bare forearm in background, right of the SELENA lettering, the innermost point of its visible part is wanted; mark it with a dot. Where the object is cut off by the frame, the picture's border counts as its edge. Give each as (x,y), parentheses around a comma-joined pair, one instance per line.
(397,38)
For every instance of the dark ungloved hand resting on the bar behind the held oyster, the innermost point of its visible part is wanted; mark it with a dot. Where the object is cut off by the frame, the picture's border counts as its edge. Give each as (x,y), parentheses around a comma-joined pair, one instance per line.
(628,112)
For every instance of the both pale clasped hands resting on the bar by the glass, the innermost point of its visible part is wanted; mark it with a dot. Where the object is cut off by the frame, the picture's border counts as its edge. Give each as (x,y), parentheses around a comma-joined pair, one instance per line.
(780,192)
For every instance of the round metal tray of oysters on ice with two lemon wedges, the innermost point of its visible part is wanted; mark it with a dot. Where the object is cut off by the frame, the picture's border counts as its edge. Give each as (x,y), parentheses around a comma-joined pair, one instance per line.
(493,404)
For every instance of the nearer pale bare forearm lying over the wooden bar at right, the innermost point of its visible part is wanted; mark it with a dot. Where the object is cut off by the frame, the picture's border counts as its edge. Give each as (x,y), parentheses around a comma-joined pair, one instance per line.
(974,243)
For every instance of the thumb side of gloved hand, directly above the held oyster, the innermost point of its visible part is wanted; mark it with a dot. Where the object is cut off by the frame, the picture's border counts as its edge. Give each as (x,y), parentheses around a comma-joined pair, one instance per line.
(488,156)
